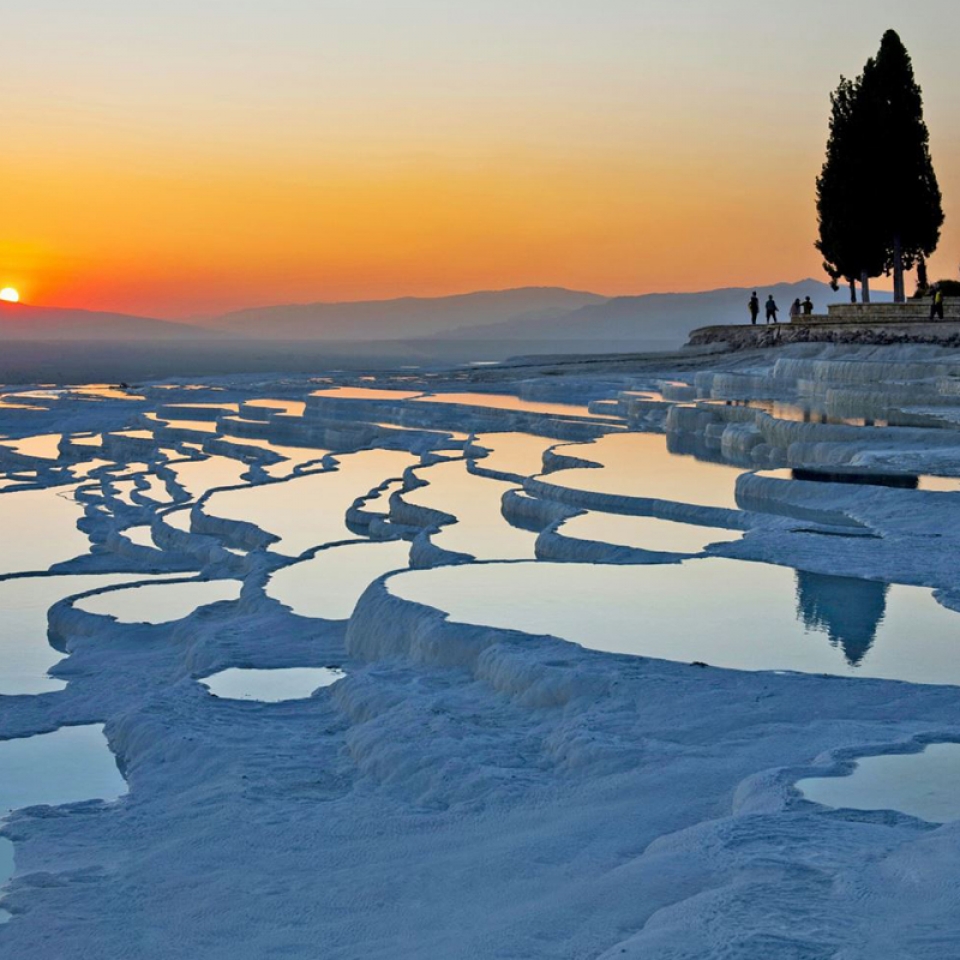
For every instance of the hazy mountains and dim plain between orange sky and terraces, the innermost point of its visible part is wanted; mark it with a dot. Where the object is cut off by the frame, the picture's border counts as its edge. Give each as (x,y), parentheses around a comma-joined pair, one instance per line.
(493,325)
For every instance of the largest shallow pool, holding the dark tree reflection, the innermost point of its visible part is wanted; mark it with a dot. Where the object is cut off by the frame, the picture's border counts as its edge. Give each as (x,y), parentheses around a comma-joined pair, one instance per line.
(727,613)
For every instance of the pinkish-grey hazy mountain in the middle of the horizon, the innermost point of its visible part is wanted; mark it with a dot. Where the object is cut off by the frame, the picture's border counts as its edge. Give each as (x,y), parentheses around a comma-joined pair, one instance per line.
(403,318)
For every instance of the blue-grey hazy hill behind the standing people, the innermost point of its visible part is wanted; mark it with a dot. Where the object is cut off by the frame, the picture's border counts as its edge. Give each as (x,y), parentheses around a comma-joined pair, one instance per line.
(651,321)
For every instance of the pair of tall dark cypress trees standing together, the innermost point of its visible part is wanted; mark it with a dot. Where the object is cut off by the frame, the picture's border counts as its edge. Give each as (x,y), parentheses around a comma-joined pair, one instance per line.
(877,197)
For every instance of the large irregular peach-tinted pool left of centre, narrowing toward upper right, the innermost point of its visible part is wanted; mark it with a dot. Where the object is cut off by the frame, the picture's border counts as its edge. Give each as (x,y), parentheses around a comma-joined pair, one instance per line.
(309,511)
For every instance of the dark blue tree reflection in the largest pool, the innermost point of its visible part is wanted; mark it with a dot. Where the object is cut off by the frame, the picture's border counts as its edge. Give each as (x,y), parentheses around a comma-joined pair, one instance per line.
(848,610)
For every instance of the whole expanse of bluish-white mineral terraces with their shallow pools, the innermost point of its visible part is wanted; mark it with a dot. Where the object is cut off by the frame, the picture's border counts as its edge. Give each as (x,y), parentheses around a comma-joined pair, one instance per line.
(641,662)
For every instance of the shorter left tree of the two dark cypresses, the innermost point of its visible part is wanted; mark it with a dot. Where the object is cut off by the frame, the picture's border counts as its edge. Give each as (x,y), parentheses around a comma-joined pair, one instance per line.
(852,247)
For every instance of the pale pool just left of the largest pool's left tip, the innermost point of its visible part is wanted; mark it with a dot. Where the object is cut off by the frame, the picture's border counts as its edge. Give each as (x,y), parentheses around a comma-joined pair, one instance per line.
(329,585)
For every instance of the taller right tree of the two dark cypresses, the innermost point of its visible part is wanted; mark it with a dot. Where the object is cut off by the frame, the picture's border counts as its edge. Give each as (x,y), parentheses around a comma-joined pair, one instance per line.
(910,212)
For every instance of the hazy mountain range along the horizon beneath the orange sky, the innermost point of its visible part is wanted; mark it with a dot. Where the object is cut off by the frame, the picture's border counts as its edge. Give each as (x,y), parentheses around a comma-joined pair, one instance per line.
(499,323)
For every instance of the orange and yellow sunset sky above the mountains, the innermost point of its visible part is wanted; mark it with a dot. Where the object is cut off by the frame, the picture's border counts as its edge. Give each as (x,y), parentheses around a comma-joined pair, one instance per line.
(194,156)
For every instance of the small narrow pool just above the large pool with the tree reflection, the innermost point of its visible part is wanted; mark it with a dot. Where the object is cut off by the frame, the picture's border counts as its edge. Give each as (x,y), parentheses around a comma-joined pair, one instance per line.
(645,533)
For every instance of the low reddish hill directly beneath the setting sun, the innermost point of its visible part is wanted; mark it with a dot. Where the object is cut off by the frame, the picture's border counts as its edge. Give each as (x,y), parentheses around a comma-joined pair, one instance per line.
(20,321)
